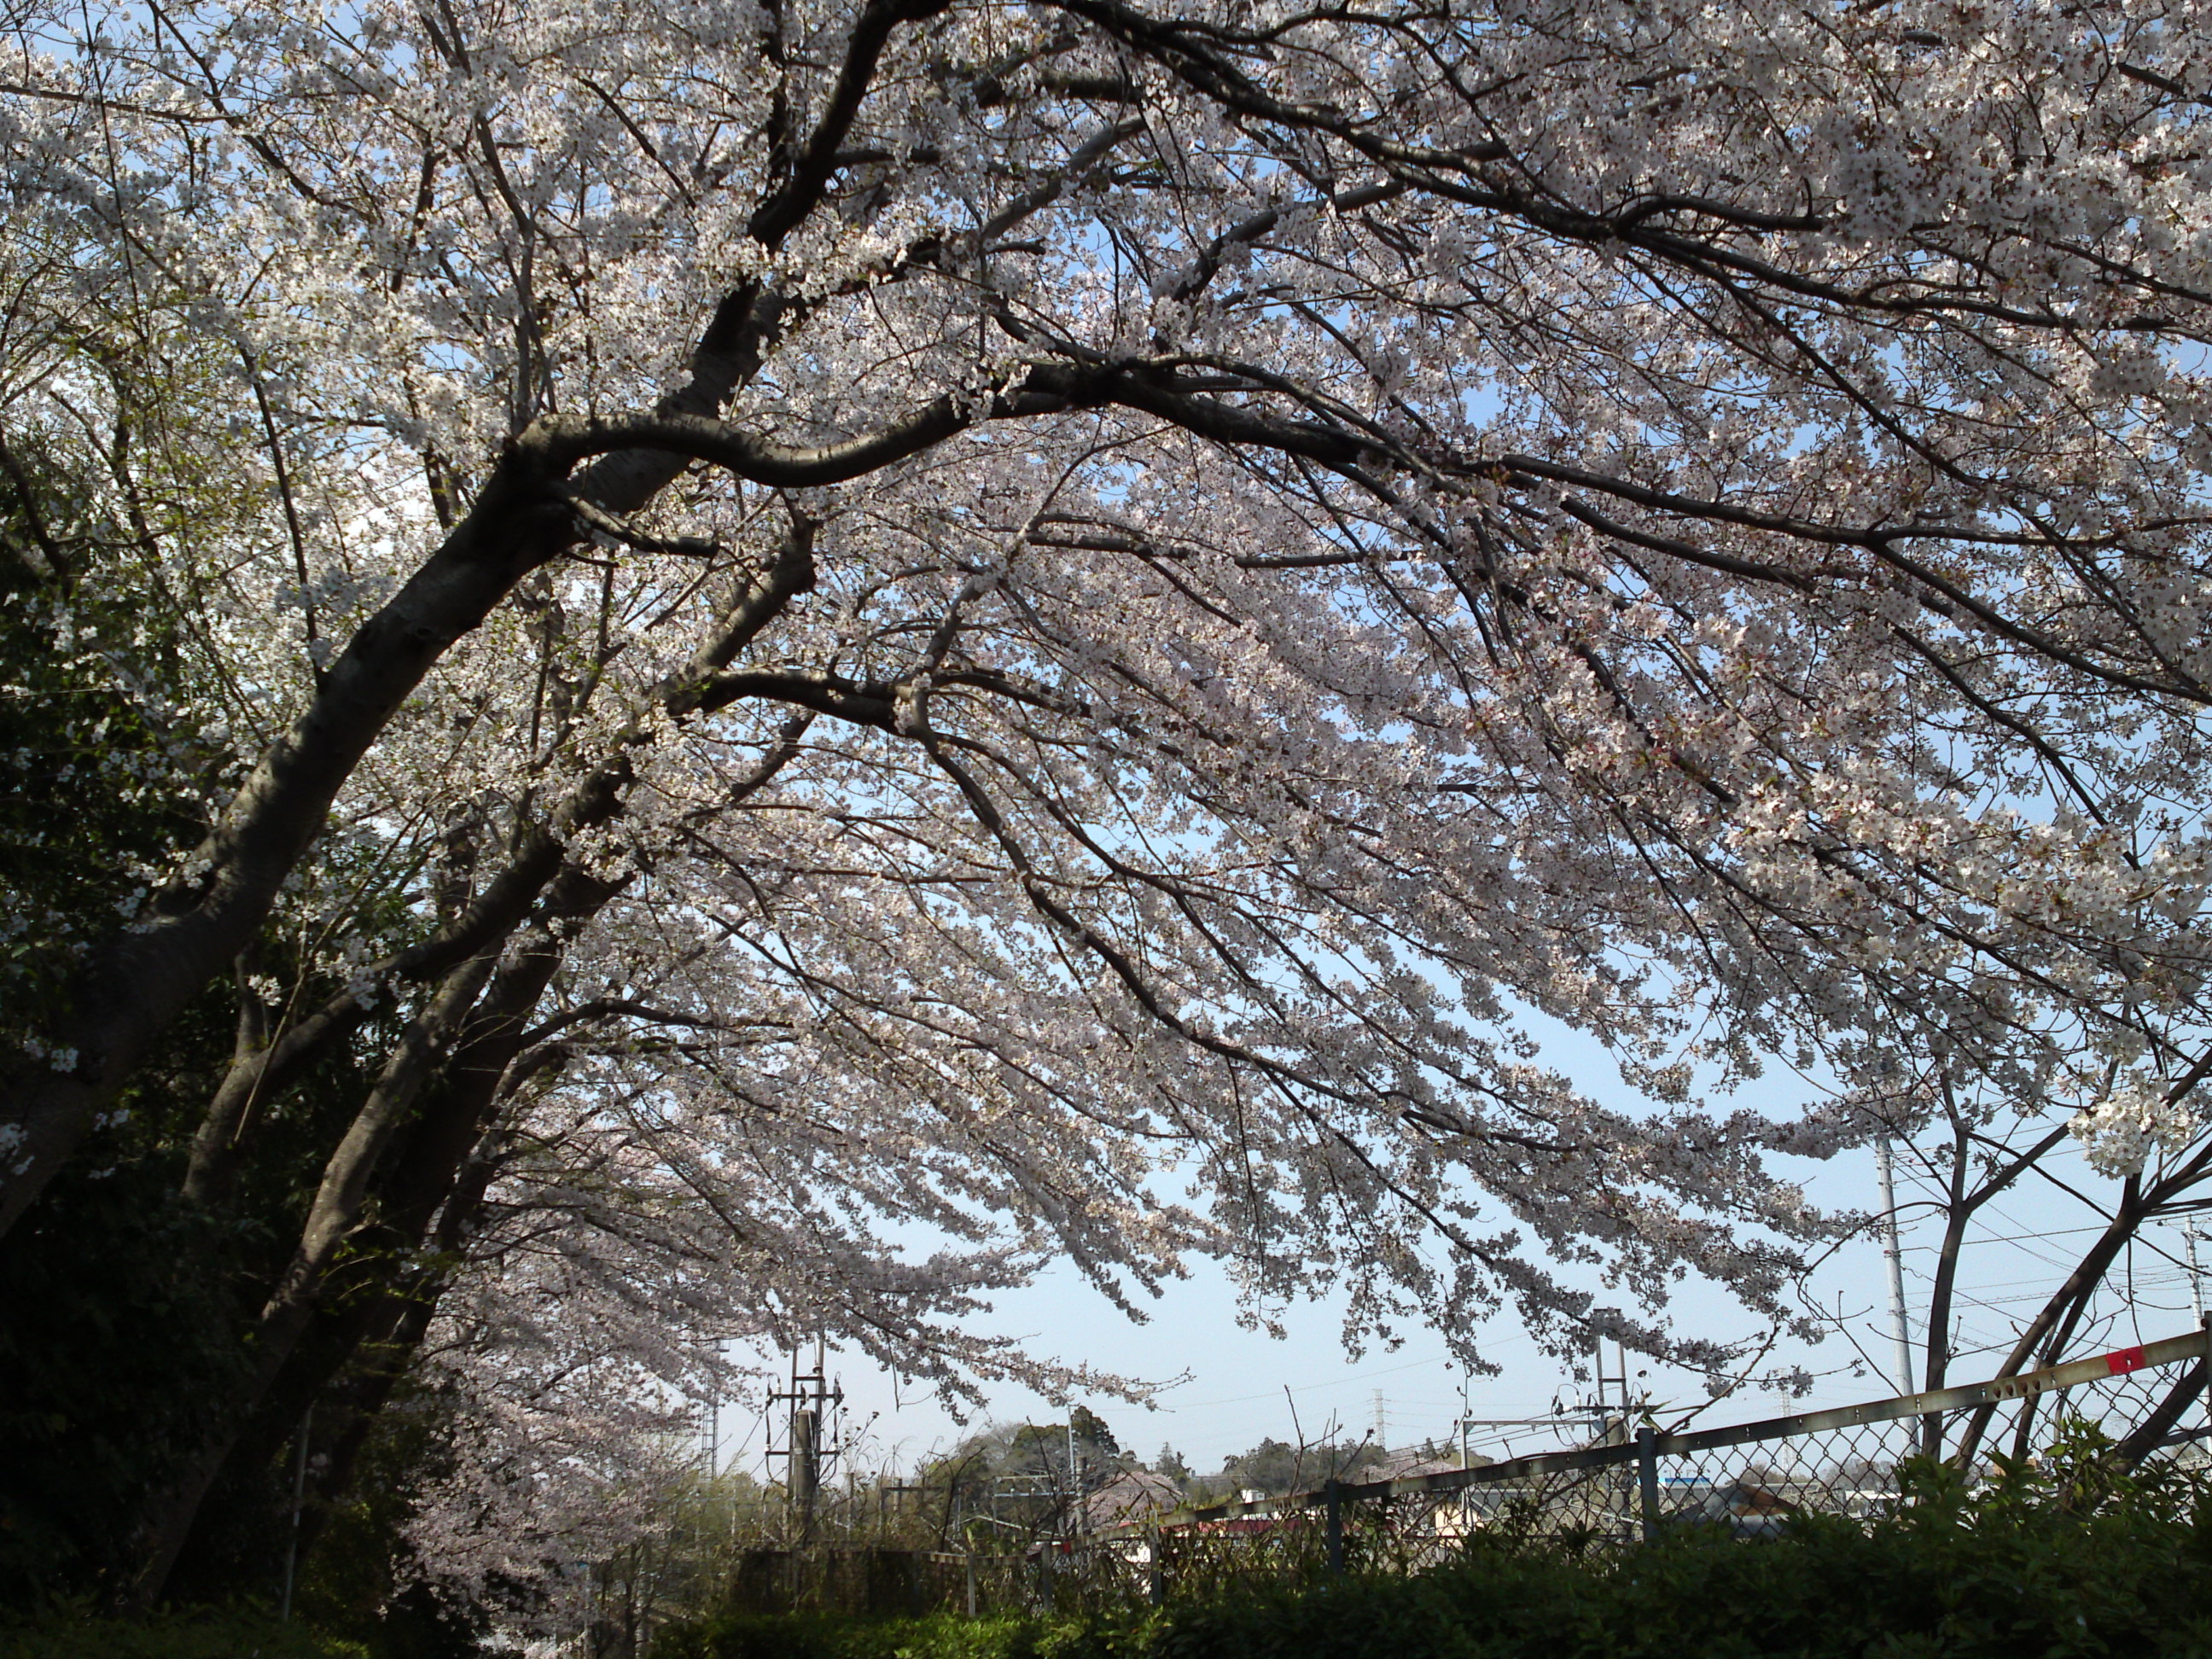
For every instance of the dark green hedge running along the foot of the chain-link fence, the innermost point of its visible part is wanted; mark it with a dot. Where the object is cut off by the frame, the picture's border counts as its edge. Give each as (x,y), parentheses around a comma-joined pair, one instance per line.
(1954,1578)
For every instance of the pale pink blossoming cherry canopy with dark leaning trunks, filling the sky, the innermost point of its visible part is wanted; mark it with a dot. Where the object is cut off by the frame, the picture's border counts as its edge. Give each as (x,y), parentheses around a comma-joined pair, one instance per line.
(1054,623)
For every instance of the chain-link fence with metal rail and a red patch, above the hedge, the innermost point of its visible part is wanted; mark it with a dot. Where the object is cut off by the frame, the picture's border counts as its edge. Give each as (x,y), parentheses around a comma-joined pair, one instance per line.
(1640,1481)
